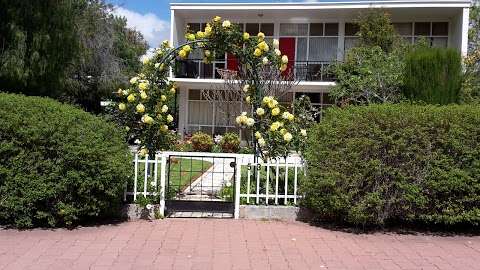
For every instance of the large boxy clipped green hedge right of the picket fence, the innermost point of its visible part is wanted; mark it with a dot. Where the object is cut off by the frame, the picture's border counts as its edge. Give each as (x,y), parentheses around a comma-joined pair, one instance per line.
(385,164)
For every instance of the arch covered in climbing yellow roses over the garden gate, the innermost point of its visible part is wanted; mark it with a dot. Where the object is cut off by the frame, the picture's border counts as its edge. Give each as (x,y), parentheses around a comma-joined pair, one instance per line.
(146,106)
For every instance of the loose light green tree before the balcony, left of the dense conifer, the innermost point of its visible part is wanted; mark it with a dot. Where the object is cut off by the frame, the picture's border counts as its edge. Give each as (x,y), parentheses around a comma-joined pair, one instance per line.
(372,71)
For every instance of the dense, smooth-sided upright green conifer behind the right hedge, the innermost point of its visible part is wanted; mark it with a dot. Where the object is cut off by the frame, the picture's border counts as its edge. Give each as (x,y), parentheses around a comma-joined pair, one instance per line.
(433,75)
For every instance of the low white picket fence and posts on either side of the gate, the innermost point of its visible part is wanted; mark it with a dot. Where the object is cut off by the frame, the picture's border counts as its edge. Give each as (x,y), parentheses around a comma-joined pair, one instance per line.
(262,183)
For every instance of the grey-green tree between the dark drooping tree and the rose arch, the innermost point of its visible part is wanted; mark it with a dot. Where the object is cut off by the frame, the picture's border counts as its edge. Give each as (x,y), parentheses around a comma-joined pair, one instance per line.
(109,56)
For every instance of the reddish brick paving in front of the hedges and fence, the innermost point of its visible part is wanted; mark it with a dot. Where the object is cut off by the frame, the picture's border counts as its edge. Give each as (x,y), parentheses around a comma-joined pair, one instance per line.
(230,244)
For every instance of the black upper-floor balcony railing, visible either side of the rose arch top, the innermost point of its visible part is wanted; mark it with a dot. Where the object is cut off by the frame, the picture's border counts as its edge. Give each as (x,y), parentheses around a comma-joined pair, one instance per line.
(303,70)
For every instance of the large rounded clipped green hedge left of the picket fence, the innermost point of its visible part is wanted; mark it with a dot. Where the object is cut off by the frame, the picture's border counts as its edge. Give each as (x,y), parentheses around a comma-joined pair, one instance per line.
(59,166)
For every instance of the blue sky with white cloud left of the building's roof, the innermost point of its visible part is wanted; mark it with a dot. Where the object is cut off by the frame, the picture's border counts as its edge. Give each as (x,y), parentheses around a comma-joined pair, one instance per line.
(152,17)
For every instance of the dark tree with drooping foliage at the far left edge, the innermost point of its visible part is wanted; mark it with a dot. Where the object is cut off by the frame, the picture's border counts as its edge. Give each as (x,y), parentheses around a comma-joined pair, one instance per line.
(38,42)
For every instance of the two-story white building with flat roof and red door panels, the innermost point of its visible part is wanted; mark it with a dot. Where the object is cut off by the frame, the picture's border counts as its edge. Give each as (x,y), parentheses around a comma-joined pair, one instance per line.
(312,35)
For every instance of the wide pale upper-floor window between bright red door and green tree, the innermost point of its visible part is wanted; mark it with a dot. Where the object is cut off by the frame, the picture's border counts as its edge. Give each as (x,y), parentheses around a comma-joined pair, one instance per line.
(323,49)
